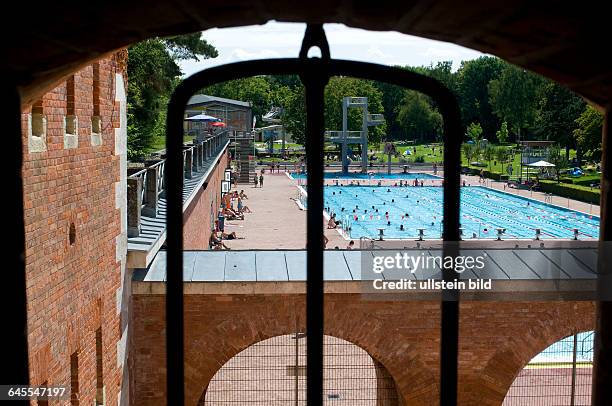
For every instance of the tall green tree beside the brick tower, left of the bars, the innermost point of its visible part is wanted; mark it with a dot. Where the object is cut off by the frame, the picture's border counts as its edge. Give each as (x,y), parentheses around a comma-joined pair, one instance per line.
(153,73)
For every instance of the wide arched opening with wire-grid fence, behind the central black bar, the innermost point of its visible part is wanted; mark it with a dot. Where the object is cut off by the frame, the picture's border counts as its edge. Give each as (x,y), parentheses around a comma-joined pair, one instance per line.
(273,372)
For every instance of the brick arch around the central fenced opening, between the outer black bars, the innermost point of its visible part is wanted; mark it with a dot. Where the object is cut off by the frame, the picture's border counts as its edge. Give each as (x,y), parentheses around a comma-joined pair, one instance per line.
(220,335)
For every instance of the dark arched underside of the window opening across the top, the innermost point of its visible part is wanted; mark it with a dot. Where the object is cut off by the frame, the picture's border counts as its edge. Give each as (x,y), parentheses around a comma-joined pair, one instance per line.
(567,42)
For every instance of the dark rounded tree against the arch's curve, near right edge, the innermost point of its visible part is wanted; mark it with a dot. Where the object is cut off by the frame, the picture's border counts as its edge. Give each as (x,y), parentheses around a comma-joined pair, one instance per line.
(559,108)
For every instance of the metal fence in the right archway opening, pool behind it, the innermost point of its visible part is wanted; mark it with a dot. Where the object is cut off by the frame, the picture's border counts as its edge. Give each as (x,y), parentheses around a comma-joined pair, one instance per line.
(561,375)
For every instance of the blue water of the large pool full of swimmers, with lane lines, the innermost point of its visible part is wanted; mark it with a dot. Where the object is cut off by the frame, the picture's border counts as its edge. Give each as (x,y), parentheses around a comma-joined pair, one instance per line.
(367,208)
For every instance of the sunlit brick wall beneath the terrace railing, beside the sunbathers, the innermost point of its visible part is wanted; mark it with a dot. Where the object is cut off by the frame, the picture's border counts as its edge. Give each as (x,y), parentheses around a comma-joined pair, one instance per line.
(197,217)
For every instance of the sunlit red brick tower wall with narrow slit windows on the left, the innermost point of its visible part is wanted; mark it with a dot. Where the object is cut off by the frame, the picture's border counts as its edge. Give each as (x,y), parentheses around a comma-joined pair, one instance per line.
(72,289)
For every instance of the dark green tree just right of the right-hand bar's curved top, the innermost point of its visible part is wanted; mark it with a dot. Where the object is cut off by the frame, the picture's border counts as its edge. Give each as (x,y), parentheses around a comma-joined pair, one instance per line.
(473,79)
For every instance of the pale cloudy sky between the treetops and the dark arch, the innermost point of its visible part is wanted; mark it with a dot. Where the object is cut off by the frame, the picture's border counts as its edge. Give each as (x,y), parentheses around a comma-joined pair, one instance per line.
(283,40)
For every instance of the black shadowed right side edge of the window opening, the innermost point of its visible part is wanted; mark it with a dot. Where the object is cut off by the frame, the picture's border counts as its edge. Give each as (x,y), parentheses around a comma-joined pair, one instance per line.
(602,362)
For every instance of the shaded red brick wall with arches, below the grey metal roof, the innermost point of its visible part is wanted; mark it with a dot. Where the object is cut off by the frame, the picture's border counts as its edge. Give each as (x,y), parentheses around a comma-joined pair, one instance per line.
(496,339)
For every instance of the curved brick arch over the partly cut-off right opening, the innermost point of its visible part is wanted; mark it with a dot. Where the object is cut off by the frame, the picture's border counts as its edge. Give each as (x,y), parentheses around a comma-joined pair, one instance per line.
(557,321)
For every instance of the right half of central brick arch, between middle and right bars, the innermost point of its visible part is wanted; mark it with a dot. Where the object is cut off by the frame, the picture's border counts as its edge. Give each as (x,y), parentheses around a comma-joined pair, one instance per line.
(379,328)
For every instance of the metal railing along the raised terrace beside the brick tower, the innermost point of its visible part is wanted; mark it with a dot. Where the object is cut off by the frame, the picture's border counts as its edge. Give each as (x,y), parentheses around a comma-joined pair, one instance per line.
(146,186)
